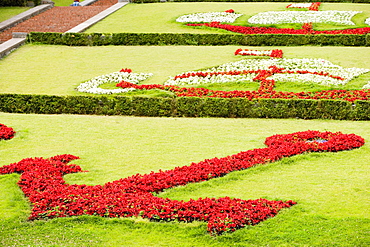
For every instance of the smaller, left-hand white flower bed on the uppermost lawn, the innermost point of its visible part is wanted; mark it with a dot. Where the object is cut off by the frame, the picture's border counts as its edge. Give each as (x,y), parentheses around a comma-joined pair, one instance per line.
(209,17)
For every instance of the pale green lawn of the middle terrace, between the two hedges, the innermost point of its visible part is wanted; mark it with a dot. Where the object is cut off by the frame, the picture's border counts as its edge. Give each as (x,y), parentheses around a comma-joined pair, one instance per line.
(58,70)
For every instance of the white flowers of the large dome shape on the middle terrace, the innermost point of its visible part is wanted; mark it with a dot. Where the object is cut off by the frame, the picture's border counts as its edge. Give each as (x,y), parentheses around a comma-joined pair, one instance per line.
(306,64)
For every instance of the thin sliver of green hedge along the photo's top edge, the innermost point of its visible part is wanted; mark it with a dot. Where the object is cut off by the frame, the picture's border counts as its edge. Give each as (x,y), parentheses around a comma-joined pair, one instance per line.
(333,1)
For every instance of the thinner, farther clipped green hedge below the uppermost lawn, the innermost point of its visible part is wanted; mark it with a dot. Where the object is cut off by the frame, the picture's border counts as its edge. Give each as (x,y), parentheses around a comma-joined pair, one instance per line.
(99,39)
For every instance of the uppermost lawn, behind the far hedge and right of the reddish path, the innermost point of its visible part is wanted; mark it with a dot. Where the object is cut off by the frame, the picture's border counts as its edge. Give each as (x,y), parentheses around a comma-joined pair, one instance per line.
(161,18)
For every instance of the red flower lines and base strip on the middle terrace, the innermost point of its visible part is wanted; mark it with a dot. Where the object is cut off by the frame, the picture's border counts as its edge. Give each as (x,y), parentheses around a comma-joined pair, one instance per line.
(266,89)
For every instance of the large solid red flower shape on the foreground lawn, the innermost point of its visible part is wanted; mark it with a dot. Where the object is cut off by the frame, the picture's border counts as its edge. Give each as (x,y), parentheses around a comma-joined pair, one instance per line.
(42,181)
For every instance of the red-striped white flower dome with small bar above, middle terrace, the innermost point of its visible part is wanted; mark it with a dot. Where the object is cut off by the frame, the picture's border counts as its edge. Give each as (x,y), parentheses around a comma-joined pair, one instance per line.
(304,70)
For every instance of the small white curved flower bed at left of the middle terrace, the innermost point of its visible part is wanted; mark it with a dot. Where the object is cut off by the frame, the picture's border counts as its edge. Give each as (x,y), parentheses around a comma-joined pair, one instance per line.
(92,86)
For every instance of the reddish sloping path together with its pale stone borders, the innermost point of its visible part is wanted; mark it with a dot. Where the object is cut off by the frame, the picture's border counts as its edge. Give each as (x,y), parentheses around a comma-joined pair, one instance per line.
(46,18)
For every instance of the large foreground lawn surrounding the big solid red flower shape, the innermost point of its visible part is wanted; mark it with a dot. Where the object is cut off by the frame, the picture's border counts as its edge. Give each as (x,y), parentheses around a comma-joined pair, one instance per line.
(332,189)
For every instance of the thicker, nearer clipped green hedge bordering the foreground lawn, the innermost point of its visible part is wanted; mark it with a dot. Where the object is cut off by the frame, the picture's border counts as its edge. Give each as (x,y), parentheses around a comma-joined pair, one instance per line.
(185,107)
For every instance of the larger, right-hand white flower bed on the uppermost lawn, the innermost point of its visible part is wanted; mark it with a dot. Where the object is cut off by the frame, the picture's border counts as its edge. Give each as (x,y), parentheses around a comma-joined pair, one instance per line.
(280,17)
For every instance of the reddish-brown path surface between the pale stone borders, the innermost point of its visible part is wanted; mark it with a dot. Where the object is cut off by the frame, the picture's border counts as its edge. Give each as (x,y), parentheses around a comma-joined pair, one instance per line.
(58,19)
